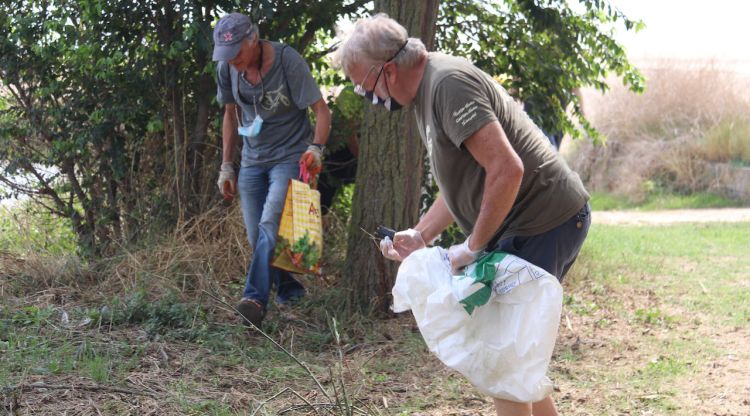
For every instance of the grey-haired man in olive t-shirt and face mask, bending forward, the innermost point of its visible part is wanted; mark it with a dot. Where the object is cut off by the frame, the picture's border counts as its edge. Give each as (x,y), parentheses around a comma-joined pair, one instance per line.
(498,177)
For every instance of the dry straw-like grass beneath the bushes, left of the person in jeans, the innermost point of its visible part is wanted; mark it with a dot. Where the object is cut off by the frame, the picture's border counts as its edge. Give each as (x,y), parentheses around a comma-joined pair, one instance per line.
(208,251)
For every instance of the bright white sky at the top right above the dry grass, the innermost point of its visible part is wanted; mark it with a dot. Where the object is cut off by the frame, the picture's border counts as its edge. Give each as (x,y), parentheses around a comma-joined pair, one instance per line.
(689,29)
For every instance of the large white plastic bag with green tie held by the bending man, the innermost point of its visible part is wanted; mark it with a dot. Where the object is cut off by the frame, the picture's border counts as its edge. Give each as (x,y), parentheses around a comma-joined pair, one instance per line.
(502,343)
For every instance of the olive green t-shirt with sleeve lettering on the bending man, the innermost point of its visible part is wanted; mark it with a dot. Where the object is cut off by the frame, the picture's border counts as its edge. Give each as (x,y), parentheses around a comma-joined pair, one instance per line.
(454,100)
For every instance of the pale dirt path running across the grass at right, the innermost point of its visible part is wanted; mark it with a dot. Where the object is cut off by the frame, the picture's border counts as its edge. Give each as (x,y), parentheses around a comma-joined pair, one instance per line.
(666,217)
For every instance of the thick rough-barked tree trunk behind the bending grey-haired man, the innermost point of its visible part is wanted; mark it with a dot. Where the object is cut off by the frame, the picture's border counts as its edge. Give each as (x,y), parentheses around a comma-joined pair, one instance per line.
(389,175)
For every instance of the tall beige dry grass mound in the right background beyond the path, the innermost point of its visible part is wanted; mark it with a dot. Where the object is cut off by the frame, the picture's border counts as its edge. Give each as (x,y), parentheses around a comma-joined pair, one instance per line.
(692,115)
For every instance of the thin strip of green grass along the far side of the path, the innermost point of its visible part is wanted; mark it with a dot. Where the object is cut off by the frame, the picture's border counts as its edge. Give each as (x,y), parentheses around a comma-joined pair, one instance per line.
(659,201)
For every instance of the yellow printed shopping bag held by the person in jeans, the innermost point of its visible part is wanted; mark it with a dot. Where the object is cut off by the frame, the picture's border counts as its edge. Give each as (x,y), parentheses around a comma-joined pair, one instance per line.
(299,244)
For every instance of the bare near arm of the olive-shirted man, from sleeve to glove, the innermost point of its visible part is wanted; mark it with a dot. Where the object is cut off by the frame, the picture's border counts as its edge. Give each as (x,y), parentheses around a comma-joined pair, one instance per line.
(503,173)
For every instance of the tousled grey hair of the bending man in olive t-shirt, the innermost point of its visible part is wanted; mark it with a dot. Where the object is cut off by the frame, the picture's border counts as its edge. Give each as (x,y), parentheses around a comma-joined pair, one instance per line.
(376,39)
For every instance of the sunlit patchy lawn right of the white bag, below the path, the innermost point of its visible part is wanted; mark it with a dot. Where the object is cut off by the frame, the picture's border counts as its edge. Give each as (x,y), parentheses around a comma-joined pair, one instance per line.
(656,292)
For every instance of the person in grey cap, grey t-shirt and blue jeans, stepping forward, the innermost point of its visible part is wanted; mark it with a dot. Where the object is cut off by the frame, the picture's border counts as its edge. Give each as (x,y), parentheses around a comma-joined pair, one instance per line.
(266,88)
